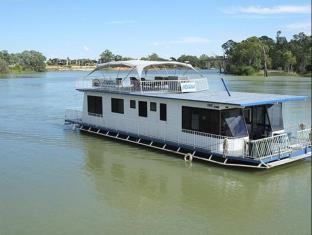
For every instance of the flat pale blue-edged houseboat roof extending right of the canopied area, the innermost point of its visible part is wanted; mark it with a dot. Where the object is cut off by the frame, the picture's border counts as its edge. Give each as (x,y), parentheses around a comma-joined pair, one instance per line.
(243,99)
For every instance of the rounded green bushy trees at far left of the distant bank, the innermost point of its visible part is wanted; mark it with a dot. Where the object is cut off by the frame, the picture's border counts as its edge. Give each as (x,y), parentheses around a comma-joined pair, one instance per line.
(24,61)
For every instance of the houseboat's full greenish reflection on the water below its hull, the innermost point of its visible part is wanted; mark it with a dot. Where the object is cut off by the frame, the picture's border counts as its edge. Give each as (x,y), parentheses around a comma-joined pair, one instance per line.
(139,180)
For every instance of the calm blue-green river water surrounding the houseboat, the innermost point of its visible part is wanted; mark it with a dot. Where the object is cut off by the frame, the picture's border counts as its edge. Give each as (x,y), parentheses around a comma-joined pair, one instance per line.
(56,181)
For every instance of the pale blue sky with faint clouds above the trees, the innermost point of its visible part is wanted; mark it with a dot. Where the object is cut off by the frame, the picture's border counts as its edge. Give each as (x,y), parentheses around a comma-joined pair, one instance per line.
(83,29)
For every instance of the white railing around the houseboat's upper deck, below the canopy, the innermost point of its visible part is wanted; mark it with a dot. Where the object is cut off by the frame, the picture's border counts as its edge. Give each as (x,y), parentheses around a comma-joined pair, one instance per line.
(174,86)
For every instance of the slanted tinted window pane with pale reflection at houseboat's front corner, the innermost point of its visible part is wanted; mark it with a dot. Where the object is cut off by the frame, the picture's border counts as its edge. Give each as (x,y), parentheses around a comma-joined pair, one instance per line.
(233,123)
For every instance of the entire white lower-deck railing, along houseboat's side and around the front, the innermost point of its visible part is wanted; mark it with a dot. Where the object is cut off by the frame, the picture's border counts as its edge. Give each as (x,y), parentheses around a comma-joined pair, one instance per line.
(228,146)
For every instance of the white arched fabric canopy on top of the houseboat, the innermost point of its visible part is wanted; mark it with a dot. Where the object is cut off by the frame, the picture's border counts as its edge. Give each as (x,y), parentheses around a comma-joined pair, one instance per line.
(140,65)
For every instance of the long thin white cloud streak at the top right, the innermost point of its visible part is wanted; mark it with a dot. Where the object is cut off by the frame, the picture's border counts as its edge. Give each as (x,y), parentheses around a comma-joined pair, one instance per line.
(283,9)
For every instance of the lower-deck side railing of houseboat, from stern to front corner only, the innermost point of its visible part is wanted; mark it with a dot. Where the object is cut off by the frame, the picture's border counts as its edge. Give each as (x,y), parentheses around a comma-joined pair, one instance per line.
(144,128)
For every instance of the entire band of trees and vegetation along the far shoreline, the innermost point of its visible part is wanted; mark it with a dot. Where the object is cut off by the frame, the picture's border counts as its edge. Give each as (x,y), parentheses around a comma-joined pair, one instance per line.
(257,56)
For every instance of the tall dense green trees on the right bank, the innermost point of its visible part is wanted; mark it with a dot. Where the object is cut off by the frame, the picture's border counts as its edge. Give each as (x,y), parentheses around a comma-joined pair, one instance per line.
(256,53)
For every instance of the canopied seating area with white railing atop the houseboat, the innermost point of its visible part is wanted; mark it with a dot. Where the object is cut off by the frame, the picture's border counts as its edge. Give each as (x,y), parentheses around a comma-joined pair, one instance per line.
(144,76)
